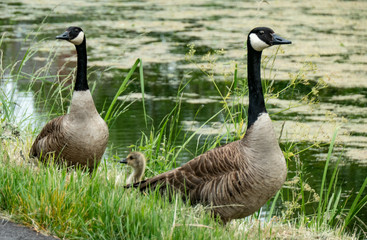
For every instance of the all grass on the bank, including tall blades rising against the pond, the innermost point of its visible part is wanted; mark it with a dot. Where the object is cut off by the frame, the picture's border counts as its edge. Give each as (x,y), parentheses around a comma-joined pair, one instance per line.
(74,205)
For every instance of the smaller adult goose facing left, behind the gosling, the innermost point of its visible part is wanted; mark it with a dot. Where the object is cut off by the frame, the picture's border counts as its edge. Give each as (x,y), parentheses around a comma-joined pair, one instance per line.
(79,137)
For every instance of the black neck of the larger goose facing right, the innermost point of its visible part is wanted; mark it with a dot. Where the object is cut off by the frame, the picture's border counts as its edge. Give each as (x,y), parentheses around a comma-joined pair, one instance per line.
(256,97)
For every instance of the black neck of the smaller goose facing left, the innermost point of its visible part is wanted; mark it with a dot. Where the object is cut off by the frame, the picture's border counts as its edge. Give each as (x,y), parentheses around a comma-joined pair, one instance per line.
(81,83)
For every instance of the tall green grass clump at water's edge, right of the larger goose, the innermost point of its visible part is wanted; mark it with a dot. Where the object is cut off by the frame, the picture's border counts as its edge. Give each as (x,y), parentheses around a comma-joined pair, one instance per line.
(329,208)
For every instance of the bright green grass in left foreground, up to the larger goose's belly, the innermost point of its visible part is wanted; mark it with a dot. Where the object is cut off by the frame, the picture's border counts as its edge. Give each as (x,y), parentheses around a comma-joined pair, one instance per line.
(75,206)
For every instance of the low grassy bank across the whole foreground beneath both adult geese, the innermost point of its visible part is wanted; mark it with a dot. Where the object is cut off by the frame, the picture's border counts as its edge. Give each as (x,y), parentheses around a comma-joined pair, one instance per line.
(74,205)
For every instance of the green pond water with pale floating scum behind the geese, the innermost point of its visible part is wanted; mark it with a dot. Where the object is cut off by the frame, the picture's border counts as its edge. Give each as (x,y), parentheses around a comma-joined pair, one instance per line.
(330,34)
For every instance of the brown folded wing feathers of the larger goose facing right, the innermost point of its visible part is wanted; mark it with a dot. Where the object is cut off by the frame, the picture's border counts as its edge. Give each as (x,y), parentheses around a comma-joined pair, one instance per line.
(206,171)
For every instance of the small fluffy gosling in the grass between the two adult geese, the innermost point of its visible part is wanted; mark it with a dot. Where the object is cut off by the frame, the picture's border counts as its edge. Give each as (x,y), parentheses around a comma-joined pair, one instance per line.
(137,161)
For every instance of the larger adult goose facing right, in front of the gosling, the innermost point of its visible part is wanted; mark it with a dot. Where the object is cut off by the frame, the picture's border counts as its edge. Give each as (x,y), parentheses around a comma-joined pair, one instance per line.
(238,178)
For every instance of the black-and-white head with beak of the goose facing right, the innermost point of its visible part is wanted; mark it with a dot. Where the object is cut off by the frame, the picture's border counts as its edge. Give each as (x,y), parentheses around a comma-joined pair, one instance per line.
(263,37)
